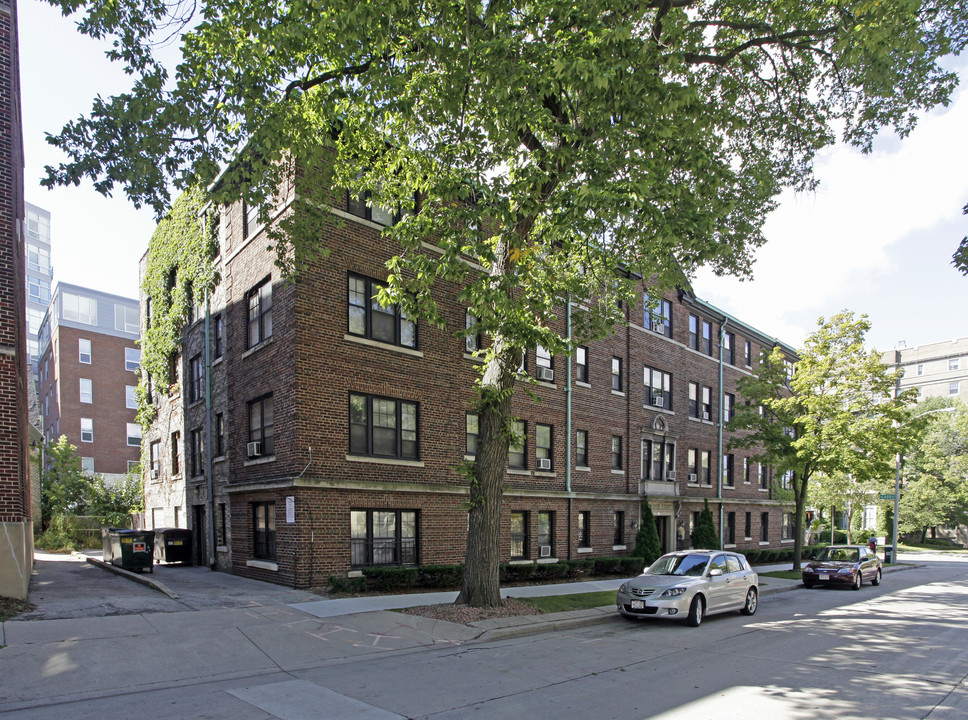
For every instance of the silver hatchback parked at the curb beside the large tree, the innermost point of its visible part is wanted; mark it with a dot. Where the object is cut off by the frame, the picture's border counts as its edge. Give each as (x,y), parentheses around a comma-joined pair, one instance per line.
(689,585)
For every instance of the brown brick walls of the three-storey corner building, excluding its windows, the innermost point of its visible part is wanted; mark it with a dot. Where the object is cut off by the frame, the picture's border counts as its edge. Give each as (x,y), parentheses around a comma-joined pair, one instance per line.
(311,365)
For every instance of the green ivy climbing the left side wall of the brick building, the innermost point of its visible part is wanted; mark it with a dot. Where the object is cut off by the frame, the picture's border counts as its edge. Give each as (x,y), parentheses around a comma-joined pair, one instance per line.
(179,269)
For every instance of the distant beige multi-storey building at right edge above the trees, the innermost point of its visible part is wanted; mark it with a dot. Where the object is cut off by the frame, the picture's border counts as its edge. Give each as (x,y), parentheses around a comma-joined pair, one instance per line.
(937,369)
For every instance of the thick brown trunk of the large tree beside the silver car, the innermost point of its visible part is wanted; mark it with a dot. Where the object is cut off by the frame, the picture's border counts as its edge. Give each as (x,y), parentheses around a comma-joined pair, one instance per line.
(481,585)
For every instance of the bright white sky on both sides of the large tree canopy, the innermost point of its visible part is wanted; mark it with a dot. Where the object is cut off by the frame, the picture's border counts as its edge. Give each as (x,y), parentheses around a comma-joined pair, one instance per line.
(876,237)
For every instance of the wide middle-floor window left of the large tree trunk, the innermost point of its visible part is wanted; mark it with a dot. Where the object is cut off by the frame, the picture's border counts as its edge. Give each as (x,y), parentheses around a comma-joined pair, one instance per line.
(383,427)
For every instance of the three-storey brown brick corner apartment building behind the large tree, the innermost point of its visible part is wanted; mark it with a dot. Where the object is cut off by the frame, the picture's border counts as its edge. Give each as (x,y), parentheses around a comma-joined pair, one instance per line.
(335,426)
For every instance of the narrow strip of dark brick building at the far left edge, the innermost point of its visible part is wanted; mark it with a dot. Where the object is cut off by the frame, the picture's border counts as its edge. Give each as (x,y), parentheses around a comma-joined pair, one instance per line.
(16,526)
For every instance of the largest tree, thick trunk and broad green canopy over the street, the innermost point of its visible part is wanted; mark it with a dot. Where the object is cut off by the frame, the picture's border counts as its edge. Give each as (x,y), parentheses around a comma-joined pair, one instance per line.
(556,150)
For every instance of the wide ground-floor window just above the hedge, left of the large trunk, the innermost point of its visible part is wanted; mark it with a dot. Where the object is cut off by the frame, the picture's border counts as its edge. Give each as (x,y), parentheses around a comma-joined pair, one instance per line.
(383,537)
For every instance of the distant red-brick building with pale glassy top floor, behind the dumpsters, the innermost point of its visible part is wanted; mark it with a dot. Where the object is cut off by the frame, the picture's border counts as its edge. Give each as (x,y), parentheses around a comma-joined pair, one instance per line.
(87,375)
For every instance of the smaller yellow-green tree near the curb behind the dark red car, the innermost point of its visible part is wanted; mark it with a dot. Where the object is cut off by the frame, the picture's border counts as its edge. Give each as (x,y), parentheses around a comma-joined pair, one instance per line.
(834,414)
